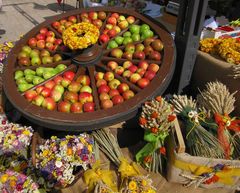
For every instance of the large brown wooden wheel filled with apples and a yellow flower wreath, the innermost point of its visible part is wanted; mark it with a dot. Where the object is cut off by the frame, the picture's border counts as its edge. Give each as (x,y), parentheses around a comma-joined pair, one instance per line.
(74,77)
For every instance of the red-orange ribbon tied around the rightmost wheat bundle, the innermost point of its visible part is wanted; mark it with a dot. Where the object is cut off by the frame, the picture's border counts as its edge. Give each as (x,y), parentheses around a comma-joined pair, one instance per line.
(225,122)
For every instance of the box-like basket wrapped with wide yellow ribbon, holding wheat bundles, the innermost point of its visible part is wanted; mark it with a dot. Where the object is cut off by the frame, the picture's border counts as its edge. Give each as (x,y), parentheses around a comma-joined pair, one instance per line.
(190,170)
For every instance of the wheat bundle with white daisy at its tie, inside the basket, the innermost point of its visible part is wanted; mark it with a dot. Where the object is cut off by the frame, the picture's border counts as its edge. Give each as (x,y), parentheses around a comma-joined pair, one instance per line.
(199,141)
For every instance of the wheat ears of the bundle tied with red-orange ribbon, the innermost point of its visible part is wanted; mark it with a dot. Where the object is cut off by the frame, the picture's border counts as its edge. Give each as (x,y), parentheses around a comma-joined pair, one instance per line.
(217,98)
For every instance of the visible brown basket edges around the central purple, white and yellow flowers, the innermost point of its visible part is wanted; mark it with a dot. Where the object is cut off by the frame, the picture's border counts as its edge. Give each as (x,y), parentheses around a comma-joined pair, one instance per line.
(36,141)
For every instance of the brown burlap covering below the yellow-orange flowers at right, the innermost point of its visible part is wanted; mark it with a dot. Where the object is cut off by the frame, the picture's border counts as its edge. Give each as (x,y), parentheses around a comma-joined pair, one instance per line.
(210,68)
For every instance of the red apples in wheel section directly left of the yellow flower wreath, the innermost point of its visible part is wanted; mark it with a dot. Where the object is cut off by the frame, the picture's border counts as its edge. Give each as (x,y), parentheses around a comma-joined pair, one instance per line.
(45,39)
